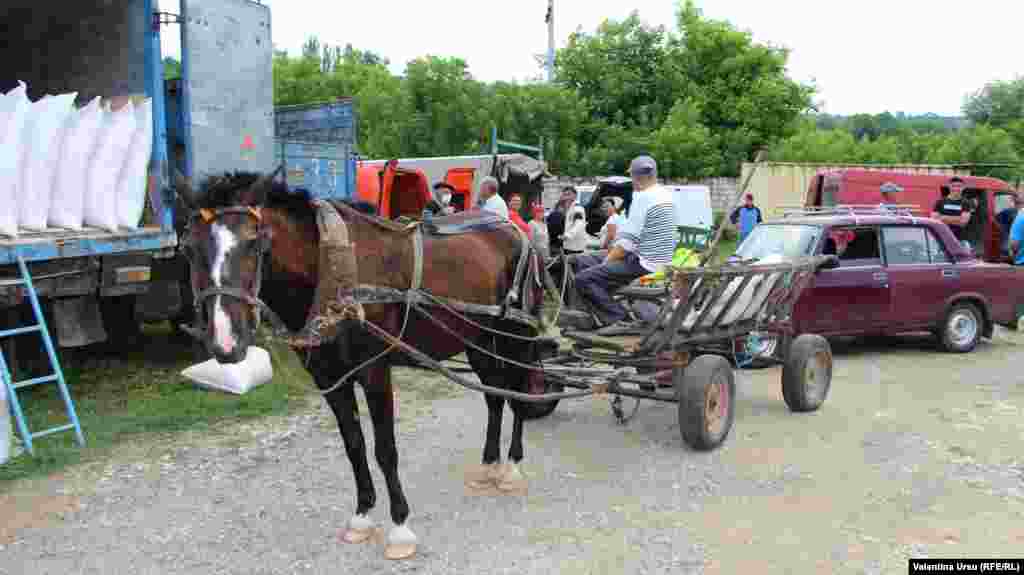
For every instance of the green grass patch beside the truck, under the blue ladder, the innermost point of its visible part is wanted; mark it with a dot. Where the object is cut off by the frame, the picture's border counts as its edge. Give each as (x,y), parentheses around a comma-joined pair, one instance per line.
(127,395)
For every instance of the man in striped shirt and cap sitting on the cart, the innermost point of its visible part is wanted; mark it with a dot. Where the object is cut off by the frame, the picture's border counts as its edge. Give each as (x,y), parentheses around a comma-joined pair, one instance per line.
(644,245)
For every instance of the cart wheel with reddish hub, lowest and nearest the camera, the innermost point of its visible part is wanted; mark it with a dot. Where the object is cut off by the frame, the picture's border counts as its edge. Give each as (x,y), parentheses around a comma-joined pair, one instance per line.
(707,392)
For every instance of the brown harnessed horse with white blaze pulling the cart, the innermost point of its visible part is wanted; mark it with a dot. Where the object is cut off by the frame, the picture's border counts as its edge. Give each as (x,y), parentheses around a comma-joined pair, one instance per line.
(253,245)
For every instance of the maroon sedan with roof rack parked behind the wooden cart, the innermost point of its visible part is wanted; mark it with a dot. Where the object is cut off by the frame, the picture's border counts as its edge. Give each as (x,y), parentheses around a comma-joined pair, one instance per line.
(897,275)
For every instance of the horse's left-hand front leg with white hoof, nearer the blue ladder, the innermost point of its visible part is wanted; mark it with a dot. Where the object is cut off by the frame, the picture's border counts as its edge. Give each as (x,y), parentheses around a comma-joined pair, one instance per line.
(343,403)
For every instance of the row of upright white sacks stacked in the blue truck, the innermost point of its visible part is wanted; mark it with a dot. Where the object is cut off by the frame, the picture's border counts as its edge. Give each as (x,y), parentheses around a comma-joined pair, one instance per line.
(69,168)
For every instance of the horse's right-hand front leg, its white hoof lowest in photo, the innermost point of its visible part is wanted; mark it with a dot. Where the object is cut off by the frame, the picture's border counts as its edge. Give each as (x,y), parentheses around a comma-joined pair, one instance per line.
(380,397)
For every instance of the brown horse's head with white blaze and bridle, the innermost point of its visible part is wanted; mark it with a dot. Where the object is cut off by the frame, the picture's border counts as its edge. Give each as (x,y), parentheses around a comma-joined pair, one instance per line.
(226,240)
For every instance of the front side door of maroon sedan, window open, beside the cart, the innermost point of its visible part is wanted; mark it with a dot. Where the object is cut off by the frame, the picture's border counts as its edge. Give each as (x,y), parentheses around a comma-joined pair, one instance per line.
(852,298)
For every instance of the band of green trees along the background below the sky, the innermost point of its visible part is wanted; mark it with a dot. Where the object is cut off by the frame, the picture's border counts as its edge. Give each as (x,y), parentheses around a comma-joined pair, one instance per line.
(702,97)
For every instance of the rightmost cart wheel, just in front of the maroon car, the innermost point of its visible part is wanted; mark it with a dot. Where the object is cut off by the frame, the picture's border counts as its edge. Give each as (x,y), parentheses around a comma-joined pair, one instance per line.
(807,373)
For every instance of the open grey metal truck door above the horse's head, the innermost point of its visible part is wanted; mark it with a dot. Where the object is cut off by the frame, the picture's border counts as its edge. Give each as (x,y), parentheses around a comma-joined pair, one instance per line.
(229,86)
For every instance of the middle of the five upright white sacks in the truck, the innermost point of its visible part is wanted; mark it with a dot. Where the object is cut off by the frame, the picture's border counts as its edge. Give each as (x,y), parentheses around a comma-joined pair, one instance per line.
(81,130)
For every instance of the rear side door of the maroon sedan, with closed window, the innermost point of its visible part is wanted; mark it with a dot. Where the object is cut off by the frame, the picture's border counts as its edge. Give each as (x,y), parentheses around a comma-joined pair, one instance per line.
(922,276)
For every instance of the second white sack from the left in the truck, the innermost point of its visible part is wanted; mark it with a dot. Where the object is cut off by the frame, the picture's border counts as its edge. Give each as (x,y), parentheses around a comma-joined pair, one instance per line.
(41,149)
